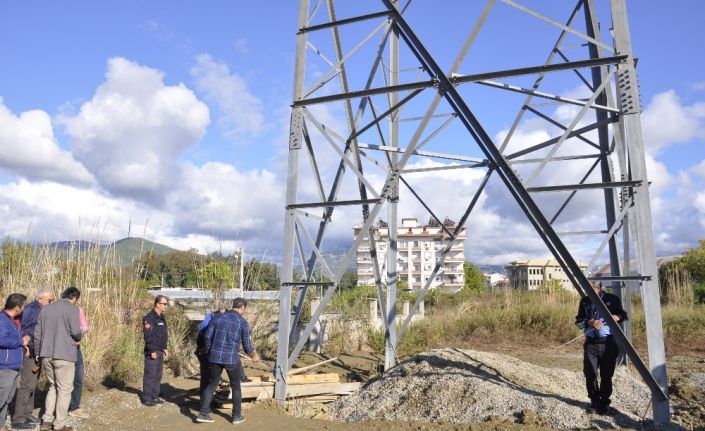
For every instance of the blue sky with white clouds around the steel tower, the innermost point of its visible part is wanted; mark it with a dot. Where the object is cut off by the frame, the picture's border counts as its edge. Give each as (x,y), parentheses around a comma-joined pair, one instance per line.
(173,116)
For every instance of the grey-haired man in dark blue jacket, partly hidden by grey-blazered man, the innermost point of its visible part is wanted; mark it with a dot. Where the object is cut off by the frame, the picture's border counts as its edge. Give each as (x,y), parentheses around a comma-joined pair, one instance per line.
(24,398)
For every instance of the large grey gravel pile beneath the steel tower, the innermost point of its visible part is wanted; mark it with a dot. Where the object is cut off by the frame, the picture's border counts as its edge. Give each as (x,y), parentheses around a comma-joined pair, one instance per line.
(464,386)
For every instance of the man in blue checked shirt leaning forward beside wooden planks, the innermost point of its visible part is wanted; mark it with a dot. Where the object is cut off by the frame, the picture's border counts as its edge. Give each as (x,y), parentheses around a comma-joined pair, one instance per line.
(223,339)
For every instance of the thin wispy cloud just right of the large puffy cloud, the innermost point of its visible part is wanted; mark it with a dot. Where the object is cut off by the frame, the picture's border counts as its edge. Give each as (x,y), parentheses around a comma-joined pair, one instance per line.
(240,113)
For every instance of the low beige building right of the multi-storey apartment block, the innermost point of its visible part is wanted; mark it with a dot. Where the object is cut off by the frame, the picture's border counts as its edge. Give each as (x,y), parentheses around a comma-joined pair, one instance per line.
(530,274)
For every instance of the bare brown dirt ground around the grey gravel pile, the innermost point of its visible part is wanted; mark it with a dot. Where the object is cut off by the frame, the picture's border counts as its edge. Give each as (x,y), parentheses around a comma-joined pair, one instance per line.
(120,409)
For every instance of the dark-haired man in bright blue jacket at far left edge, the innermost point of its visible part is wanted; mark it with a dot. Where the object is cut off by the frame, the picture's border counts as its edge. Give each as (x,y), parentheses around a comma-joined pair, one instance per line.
(12,351)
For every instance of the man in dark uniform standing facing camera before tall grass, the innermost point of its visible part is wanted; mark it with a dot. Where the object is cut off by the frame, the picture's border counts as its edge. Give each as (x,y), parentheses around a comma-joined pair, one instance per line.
(155,351)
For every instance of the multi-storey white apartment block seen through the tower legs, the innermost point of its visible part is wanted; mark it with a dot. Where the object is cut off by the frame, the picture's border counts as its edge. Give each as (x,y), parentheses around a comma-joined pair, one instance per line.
(419,247)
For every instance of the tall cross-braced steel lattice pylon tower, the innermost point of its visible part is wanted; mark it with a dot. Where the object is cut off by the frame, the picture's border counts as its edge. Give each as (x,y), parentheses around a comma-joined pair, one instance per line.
(352,110)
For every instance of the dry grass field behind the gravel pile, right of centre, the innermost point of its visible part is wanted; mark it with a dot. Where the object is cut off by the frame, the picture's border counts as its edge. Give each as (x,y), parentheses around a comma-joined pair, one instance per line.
(543,318)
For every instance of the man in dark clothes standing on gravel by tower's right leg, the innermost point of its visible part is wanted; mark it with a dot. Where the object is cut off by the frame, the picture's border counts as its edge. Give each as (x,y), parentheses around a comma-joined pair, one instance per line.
(600,350)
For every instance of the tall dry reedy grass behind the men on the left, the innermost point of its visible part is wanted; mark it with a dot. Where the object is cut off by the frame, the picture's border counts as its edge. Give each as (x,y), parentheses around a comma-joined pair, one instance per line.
(110,294)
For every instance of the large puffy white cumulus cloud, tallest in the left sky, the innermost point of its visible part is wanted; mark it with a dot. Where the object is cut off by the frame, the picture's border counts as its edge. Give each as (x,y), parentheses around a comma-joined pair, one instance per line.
(130,134)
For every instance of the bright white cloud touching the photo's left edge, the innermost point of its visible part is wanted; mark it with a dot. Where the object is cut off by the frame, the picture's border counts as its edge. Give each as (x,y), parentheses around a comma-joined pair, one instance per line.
(28,148)
